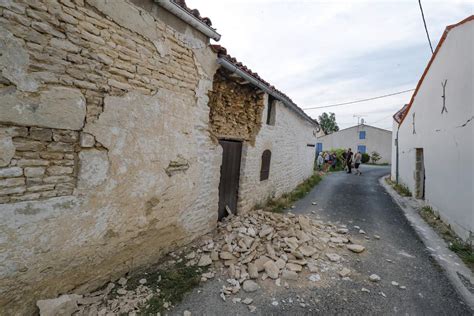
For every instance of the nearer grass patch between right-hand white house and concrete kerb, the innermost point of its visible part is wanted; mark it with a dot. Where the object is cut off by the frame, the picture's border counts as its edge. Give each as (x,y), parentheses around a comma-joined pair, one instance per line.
(462,249)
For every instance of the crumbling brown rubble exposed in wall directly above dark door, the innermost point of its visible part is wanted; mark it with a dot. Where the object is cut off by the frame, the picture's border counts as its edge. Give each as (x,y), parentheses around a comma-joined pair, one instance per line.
(236,108)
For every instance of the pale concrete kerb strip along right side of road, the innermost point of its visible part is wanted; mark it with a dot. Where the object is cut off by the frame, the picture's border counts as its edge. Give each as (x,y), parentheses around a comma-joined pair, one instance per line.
(448,260)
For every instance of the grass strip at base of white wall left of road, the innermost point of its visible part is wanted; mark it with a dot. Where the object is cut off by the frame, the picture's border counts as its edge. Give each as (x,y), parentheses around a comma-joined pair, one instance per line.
(286,200)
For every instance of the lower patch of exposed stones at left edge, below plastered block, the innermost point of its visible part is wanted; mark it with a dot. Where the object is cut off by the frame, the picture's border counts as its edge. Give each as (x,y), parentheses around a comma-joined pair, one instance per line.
(43,164)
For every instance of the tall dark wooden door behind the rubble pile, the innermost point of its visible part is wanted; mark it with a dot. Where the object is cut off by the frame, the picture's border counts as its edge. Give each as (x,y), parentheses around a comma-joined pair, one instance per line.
(230,172)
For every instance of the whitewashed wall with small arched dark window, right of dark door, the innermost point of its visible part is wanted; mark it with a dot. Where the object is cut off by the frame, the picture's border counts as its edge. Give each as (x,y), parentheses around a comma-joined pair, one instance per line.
(292,161)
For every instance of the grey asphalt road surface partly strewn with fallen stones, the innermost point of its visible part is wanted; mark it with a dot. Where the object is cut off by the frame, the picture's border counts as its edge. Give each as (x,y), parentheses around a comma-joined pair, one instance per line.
(398,256)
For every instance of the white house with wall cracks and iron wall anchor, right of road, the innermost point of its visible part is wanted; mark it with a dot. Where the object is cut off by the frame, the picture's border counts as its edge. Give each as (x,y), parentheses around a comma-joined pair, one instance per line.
(435,131)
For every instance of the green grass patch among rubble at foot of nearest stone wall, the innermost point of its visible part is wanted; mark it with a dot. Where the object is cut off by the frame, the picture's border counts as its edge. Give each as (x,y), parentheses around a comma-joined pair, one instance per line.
(173,281)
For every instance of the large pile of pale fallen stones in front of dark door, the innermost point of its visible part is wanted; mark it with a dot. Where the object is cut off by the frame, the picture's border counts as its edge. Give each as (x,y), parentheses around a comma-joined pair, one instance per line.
(262,245)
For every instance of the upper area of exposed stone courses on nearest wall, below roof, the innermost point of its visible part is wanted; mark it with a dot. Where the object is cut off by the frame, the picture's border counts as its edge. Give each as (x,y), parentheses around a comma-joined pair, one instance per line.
(75,46)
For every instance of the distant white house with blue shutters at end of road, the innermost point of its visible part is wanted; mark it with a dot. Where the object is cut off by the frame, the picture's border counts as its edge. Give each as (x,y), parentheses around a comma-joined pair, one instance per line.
(363,138)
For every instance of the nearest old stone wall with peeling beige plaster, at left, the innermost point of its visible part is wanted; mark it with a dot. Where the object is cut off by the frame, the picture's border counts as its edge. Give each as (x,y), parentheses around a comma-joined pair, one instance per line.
(104,124)
